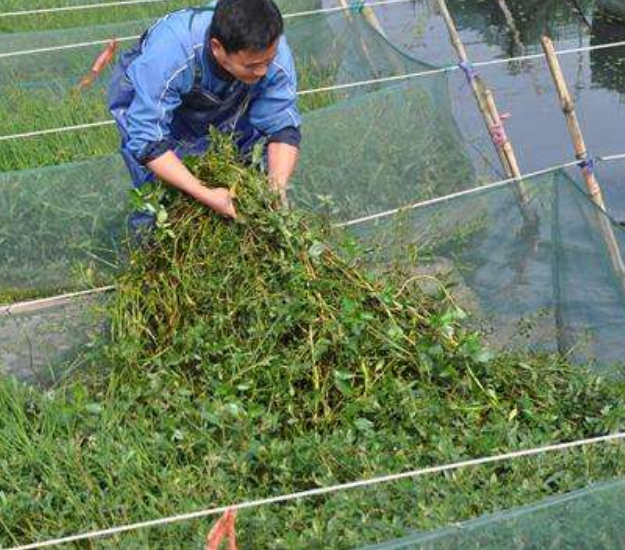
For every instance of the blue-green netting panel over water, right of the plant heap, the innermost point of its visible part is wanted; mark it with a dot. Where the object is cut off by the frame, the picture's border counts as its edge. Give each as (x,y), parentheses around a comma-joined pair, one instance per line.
(554,289)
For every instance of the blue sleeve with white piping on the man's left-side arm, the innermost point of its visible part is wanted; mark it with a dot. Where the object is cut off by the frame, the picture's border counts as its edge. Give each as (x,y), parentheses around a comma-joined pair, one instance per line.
(161,74)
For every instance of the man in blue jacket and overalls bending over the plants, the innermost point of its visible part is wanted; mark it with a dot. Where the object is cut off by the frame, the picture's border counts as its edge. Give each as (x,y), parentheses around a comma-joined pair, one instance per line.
(226,66)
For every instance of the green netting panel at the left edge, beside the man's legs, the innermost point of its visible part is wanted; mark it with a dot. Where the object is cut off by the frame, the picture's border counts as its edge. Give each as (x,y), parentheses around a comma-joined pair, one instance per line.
(62,228)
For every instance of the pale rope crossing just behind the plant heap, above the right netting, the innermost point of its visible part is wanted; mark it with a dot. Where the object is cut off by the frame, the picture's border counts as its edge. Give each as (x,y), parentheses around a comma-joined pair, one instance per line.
(31,305)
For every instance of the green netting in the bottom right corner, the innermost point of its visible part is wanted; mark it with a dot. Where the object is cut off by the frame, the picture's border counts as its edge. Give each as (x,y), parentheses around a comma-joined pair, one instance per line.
(589,518)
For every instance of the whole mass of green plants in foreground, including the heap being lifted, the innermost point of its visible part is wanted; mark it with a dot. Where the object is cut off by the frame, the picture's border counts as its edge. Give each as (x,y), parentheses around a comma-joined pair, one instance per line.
(253,358)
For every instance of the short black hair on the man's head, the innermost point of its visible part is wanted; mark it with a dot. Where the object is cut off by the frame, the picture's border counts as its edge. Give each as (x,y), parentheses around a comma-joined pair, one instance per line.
(246,24)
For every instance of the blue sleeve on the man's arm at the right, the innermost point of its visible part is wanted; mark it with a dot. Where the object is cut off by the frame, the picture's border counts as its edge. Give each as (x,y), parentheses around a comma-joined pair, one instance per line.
(275,107)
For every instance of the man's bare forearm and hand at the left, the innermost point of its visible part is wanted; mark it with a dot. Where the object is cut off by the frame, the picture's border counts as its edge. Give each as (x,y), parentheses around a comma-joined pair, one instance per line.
(170,169)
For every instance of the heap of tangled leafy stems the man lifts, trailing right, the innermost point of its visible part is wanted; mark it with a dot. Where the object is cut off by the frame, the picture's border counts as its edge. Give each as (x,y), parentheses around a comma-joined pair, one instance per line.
(268,314)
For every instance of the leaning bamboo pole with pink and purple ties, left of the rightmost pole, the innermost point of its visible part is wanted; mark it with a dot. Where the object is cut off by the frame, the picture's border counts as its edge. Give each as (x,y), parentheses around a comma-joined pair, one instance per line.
(490,115)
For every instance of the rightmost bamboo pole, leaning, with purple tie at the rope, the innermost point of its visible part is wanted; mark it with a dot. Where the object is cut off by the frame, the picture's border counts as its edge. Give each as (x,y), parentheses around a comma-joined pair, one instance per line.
(581,153)
